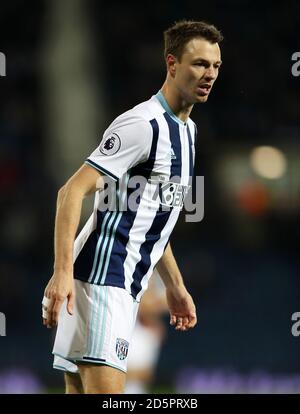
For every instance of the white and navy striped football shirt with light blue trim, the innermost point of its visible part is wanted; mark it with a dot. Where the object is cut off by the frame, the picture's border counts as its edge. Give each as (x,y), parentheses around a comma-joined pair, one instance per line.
(121,248)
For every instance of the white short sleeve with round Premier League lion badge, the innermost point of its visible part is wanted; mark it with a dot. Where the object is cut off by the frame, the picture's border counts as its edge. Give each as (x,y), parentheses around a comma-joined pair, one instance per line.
(126,143)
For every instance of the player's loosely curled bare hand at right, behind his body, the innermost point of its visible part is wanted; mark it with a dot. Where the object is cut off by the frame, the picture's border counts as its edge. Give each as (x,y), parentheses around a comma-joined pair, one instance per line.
(182,308)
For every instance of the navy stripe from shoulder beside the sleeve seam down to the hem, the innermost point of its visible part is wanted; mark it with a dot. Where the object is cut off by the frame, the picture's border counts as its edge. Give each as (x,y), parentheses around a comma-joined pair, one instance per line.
(115,271)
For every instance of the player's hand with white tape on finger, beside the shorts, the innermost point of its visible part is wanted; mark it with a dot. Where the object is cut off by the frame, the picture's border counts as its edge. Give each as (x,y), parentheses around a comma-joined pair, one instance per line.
(60,287)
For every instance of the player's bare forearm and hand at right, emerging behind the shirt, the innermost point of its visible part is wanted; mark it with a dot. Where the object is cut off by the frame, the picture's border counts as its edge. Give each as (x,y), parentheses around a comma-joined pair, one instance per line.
(181,305)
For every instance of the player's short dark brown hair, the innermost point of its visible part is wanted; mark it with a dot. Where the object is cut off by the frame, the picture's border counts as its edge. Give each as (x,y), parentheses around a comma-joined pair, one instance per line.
(177,36)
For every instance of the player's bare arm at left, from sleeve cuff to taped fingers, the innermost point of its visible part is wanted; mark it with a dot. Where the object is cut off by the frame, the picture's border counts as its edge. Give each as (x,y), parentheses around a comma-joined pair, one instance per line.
(69,203)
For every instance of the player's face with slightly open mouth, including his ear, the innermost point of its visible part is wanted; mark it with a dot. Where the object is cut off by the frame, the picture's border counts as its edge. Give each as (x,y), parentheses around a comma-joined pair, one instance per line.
(197,71)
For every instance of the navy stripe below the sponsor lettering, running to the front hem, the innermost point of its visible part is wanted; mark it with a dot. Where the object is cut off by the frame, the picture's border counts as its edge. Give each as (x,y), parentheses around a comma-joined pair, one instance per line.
(152,236)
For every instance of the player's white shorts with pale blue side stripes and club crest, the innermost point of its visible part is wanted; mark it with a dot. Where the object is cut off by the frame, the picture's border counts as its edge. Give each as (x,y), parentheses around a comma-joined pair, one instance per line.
(100,329)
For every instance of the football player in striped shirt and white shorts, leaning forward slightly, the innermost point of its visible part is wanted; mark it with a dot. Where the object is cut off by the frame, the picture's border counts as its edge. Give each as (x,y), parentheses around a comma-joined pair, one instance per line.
(98,281)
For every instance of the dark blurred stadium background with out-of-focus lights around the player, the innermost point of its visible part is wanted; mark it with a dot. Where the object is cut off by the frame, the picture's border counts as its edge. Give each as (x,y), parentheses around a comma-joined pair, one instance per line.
(72,66)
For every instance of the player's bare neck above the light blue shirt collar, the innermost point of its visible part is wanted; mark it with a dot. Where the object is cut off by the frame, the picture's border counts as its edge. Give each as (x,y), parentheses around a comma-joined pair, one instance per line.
(177,103)
